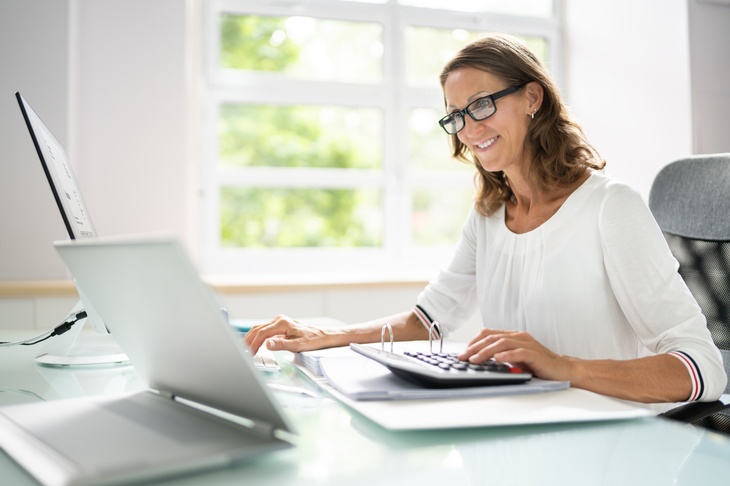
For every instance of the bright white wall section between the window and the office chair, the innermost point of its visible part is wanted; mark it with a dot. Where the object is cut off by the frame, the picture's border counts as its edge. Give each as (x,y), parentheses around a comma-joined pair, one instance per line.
(628,82)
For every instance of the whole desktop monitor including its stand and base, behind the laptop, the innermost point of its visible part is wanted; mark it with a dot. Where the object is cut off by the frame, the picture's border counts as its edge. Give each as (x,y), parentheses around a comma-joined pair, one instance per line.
(68,198)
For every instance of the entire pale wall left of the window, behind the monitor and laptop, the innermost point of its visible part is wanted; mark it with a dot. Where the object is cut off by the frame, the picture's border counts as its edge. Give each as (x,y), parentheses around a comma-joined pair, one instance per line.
(111,79)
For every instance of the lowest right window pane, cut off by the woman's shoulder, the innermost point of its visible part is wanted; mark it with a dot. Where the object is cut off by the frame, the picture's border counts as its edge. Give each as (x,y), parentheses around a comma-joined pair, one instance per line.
(438,214)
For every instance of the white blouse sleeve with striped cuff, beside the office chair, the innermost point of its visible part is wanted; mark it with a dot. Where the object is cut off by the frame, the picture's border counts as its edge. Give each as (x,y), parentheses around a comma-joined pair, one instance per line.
(656,301)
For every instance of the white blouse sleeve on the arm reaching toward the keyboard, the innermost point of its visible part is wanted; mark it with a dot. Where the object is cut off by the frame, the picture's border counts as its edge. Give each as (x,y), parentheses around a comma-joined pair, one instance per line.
(451,298)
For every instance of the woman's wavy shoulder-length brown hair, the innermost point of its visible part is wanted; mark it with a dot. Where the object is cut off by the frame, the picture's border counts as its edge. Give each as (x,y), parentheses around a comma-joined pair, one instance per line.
(557,144)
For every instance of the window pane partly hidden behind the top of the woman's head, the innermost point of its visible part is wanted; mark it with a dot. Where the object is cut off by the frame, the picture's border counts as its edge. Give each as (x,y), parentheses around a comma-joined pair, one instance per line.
(428,49)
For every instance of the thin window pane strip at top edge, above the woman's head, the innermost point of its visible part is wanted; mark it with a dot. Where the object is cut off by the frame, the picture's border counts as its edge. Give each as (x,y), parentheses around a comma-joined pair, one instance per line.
(530,8)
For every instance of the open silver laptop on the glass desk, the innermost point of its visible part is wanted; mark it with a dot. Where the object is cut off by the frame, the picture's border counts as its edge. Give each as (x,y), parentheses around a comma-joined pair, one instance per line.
(205,406)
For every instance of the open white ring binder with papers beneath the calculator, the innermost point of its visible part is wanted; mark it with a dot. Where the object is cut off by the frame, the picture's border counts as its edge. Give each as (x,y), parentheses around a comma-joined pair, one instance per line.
(373,391)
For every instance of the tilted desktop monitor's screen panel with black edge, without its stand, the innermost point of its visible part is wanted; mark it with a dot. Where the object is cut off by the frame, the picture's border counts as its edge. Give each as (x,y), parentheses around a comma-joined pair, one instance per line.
(58,171)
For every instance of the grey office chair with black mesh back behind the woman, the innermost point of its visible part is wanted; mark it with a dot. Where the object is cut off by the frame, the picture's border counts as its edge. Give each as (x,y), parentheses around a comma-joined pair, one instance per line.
(690,199)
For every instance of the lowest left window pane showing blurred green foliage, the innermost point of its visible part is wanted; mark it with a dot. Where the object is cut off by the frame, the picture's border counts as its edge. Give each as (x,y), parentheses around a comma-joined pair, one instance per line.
(293,217)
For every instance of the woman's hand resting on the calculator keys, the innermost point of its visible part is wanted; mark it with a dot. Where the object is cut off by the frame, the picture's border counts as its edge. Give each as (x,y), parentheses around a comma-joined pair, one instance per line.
(518,348)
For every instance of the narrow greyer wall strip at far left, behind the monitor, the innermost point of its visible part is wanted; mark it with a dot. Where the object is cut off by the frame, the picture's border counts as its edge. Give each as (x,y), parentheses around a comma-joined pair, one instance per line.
(33,60)
